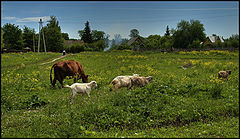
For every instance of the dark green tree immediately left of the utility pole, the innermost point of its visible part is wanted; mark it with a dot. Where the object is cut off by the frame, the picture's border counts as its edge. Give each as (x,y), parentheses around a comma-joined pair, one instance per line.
(28,35)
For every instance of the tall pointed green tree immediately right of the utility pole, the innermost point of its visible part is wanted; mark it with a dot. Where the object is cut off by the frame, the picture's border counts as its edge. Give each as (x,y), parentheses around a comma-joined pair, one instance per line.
(53,35)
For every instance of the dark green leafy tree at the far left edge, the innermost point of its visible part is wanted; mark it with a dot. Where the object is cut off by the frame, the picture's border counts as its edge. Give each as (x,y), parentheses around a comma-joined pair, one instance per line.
(12,36)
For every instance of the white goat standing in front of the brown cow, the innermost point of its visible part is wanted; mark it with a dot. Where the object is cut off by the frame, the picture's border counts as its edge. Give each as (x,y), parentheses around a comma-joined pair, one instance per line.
(81,88)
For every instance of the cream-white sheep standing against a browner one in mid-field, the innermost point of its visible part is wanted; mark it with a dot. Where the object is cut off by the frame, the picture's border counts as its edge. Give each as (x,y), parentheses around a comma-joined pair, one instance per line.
(123,81)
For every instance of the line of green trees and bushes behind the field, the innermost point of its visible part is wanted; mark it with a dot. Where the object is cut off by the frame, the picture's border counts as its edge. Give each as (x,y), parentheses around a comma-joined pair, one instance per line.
(187,35)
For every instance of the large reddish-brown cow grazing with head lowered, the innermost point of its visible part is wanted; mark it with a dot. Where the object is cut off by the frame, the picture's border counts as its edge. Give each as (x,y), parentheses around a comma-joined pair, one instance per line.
(67,68)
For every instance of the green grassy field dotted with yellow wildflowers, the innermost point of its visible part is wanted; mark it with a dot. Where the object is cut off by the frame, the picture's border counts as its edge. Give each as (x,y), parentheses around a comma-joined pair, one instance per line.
(185,98)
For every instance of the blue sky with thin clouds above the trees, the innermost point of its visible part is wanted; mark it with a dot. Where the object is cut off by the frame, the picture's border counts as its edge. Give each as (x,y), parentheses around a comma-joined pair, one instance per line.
(119,17)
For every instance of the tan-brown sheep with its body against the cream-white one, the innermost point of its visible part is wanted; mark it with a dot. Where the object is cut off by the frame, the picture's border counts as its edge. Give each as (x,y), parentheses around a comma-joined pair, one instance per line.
(141,81)
